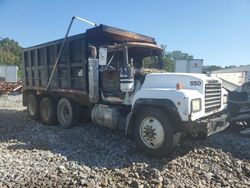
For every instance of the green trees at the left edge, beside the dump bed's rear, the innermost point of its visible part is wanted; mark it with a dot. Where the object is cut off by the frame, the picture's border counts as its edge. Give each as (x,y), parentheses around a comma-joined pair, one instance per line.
(10,52)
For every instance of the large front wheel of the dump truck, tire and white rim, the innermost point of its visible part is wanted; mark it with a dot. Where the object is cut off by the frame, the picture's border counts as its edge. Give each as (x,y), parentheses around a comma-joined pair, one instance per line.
(153,132)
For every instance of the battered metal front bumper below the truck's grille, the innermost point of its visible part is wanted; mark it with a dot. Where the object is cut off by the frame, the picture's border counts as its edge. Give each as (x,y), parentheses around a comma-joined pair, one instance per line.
(208,126)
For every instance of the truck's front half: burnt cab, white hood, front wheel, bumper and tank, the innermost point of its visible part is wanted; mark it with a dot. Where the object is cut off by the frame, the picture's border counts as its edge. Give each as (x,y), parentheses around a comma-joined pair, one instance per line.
(159,105)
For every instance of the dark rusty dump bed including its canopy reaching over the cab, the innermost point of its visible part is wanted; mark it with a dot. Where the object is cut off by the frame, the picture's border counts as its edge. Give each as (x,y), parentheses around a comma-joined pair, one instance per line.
(71,74)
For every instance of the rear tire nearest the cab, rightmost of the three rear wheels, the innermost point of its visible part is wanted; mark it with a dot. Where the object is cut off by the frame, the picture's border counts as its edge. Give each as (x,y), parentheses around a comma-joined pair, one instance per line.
(67,113)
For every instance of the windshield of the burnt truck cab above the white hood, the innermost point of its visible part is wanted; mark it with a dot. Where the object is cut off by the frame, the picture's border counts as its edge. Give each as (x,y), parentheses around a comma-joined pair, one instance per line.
(141,57)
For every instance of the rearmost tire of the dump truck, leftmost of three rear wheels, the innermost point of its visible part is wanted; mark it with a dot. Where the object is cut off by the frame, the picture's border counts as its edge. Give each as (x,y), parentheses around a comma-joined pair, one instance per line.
(32,106)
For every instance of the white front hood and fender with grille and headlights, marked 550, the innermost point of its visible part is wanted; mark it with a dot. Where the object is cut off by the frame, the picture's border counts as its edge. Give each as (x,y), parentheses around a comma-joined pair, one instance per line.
(194,95)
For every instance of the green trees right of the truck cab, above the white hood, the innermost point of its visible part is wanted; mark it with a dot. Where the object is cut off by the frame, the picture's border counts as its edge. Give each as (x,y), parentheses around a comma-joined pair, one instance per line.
(169,58)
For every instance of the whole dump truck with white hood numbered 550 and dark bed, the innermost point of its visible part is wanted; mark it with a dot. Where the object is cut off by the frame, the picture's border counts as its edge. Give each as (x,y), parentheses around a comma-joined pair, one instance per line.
(115,78)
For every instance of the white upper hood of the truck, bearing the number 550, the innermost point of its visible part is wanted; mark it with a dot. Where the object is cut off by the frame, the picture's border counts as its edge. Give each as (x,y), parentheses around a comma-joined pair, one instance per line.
(169,80)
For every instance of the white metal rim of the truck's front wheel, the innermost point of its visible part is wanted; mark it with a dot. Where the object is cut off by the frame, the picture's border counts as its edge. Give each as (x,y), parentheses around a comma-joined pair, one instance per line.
(151,132)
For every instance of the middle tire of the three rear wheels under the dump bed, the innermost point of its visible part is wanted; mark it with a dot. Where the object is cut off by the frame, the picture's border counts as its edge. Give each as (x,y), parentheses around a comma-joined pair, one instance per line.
(47,109)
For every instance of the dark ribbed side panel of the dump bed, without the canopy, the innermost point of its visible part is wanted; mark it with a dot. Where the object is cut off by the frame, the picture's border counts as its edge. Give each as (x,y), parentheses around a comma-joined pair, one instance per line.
(71,72)
